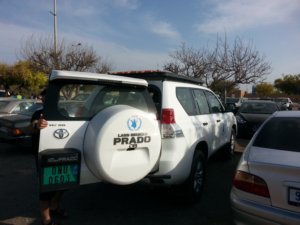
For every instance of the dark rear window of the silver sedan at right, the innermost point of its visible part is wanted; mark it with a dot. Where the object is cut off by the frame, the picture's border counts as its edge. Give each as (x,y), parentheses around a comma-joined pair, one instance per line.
(280,133)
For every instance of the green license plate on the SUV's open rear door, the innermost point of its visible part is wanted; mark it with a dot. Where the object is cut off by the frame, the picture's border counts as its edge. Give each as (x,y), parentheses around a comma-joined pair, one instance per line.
(60,174)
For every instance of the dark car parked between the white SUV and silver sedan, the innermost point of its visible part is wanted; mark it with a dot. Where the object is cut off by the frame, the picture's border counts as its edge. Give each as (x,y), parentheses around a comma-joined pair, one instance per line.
(252,114)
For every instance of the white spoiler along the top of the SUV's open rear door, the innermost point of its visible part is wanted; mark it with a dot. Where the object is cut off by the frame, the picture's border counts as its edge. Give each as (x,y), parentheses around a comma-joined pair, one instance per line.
(75,75)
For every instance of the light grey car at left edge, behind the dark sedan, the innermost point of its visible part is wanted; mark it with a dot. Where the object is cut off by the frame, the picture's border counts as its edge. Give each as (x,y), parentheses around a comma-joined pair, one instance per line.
(12,105)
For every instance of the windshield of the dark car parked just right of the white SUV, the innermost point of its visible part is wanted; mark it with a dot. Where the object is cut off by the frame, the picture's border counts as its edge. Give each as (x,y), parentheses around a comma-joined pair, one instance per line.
(258,108)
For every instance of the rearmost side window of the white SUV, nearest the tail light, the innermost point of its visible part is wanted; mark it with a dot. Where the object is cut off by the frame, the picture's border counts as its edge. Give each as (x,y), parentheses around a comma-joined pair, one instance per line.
(185,97)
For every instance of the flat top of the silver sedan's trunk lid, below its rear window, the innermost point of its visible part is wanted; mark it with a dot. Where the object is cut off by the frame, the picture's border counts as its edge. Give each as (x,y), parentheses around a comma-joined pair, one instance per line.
(275,157)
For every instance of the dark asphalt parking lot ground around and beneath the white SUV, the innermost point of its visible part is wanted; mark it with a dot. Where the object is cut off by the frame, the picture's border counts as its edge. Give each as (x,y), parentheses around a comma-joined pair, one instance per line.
(114,205)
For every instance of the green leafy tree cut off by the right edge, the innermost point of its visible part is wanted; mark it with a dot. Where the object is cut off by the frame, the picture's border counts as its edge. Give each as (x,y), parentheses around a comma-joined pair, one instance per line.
(289,84)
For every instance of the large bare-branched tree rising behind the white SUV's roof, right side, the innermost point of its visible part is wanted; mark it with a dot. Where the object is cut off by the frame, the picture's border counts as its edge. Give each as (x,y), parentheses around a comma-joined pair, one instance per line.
(239,63)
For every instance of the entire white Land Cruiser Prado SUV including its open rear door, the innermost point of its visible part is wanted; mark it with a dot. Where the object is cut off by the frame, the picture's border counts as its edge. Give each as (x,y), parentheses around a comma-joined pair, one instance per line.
(157,126)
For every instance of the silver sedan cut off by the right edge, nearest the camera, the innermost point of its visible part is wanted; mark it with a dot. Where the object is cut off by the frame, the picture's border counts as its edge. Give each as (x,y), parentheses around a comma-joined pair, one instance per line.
(266,185)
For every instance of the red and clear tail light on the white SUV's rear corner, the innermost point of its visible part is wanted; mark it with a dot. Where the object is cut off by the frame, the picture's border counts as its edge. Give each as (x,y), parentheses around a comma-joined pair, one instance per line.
(169,128)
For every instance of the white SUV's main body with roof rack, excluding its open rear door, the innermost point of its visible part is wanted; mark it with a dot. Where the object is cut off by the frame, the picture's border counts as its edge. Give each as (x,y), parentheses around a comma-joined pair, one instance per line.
(194,126)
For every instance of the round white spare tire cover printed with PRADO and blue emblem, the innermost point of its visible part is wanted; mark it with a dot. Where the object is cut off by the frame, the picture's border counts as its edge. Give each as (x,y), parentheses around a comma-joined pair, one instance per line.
(122,144)
